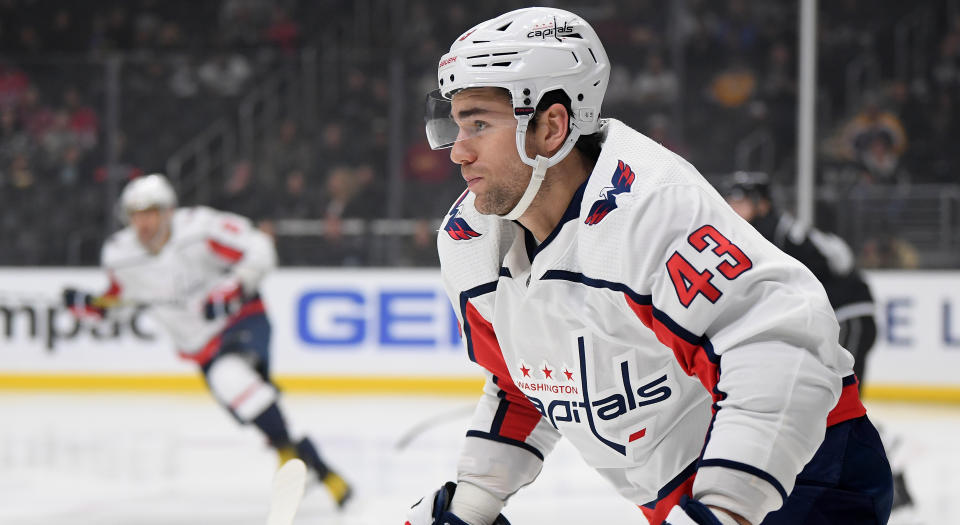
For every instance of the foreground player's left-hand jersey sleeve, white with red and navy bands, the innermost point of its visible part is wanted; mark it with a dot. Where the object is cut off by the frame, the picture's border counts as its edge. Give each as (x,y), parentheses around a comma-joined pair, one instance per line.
(508,437)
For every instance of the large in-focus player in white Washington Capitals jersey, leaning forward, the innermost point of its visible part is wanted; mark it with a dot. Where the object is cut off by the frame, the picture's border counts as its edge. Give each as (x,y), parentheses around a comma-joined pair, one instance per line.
(615,299)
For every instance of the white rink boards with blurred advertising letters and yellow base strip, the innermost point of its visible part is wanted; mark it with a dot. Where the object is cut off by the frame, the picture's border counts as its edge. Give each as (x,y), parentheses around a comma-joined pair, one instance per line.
(384,331)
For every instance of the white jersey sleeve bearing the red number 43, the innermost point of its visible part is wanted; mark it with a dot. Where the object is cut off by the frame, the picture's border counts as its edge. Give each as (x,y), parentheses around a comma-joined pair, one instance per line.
(752,324)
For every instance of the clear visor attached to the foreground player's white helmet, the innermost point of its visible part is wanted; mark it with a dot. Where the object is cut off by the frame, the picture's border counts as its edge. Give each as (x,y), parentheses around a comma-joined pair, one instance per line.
(443,130)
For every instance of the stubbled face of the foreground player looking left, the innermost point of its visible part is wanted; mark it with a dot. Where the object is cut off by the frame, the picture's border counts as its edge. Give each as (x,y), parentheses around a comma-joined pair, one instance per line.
(486,149)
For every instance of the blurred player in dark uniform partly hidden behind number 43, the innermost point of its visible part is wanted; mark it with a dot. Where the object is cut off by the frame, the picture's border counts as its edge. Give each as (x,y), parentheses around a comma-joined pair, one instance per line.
(831,260)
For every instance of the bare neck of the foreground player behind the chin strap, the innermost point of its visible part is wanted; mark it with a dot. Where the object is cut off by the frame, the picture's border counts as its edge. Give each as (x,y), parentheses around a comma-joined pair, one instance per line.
(559,185)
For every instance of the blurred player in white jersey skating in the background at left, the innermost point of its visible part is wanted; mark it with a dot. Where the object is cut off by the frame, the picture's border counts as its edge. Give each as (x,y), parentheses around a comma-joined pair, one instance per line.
(198,271)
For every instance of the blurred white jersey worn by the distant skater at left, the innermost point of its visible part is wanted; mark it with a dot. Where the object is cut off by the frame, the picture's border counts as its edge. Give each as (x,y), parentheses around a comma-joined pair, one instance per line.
(206,248)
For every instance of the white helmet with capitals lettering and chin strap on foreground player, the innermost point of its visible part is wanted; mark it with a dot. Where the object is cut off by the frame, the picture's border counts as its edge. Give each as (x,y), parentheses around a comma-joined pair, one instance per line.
(528,52)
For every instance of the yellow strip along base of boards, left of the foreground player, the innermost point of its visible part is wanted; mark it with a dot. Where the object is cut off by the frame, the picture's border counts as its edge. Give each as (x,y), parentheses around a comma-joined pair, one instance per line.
(288,383)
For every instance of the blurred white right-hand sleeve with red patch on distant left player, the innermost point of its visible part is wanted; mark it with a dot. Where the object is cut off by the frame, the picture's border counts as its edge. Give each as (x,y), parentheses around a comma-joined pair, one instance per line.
(235,242)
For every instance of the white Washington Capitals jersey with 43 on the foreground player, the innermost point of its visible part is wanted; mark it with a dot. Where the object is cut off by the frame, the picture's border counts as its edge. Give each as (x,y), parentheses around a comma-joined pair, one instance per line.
(654,329)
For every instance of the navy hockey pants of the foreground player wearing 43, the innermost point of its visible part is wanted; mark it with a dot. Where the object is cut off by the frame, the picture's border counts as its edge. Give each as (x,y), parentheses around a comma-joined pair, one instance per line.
(848,481)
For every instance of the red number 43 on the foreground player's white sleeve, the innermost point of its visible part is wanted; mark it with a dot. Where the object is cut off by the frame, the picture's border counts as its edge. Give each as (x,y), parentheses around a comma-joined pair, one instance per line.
(689,282)
